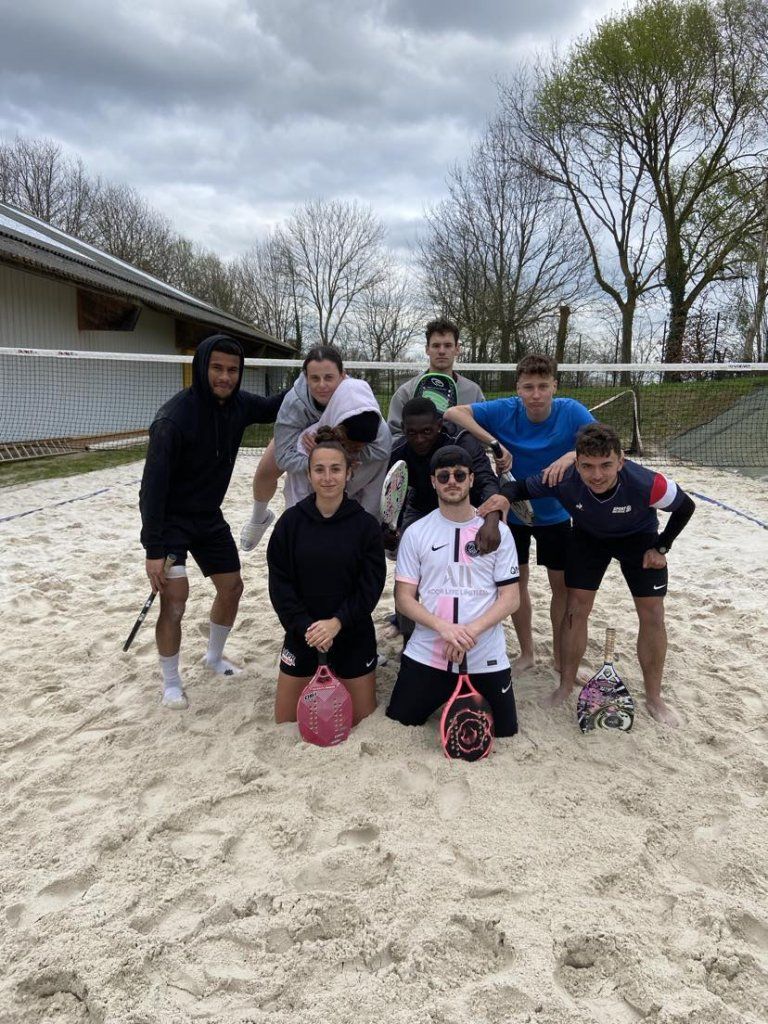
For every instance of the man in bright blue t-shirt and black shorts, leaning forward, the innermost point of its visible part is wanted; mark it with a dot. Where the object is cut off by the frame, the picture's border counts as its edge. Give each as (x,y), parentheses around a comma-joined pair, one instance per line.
(537,433)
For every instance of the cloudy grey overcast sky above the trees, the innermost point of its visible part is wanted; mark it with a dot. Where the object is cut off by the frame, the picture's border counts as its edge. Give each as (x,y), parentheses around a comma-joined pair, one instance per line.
(227,114)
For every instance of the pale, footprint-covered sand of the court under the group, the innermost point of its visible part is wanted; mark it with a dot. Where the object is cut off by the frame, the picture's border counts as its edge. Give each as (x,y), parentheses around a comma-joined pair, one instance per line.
(167,868)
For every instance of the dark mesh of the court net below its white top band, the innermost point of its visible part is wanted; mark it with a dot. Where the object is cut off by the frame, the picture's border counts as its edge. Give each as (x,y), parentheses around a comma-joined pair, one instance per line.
(713,417)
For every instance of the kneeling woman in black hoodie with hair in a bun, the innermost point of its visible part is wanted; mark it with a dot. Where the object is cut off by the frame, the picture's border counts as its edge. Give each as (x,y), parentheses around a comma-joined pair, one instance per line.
(327,573)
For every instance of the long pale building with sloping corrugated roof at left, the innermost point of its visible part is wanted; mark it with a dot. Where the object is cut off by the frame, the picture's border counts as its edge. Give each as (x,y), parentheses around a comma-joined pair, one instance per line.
(92,347)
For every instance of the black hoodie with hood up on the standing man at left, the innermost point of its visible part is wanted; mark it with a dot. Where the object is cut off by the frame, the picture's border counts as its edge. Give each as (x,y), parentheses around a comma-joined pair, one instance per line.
(194,442)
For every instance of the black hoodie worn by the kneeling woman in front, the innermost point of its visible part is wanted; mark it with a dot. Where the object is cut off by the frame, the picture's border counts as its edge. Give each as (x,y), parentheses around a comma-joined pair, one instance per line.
(322,569)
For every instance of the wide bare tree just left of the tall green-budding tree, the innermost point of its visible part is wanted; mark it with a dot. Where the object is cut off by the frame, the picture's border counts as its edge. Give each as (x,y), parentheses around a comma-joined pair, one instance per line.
(504,245)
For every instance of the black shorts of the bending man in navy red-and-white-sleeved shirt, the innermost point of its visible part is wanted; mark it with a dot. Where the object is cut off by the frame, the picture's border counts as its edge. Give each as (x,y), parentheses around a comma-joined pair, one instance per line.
(590,557)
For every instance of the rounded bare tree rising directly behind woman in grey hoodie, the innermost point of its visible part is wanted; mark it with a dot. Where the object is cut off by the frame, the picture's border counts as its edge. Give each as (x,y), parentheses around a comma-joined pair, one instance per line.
(333,251)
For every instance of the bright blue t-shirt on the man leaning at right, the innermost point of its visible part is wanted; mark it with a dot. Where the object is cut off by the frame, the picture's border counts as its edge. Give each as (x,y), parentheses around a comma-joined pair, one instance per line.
(534,446)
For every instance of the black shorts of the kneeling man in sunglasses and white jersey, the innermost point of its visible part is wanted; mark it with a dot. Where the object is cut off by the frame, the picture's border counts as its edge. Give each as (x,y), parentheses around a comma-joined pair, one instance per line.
(420,691)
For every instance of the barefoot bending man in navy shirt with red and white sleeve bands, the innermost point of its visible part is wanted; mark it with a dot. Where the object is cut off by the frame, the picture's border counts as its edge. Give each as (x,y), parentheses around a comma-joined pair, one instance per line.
(614,503)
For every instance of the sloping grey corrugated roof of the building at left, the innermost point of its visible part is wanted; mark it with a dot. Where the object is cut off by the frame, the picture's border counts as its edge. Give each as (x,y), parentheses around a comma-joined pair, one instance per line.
(30,242)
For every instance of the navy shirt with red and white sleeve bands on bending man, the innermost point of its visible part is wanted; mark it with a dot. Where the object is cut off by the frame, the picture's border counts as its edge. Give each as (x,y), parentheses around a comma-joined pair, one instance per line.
(630,508)
